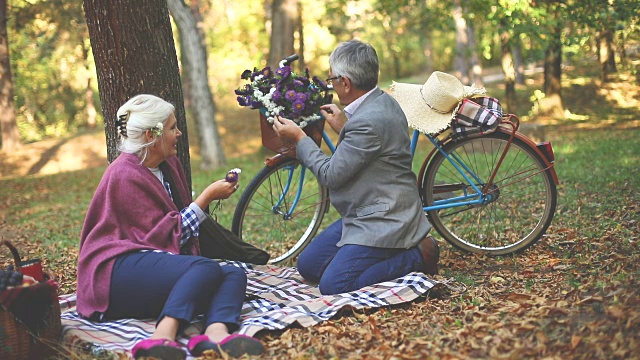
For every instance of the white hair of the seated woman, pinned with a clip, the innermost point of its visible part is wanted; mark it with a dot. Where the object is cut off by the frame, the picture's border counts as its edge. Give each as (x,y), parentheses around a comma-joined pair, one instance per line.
(141,113)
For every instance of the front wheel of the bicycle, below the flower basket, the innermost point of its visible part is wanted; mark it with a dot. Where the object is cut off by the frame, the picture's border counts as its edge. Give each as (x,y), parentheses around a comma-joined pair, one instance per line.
(281,210)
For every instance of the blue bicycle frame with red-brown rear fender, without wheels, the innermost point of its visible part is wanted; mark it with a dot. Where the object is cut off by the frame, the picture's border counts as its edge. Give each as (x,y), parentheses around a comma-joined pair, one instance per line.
(480,191)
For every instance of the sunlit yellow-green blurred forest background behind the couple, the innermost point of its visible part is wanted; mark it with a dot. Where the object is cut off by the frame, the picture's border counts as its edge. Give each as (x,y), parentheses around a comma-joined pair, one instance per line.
(50,88)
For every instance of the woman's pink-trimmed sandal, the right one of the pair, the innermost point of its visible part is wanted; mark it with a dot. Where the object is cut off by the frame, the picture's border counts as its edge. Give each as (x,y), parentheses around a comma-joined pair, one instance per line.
(234,345)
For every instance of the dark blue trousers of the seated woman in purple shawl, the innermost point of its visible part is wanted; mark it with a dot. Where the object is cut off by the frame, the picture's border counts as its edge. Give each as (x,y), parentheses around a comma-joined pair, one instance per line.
(151,284)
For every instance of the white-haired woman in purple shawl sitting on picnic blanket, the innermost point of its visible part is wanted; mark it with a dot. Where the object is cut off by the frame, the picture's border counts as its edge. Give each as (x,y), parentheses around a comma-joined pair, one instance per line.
(139,252)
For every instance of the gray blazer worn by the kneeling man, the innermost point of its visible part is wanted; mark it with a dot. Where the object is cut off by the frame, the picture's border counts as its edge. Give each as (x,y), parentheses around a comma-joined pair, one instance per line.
(369,177)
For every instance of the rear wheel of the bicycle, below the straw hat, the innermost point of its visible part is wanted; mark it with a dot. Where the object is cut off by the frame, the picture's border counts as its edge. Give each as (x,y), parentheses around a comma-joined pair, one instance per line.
(523,203)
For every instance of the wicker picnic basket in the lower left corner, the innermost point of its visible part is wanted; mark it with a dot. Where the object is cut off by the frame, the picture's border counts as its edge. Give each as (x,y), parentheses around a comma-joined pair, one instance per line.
(30,324)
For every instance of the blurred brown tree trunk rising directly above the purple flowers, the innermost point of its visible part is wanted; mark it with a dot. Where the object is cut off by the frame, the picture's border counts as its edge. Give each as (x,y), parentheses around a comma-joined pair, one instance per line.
(284,16)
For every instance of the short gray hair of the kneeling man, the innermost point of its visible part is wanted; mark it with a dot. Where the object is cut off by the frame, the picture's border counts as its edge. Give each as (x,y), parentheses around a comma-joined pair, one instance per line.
(358,61)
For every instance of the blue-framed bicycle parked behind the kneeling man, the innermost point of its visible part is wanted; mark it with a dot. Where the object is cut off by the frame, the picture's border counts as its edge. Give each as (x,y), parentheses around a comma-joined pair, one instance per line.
(494,194)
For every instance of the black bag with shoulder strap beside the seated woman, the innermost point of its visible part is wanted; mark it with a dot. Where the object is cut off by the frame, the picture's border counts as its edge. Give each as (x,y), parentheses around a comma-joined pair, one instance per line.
(217,242)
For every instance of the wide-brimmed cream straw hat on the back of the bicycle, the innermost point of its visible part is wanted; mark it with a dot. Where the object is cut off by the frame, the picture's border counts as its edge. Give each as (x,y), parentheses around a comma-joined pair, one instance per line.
(430,107)
